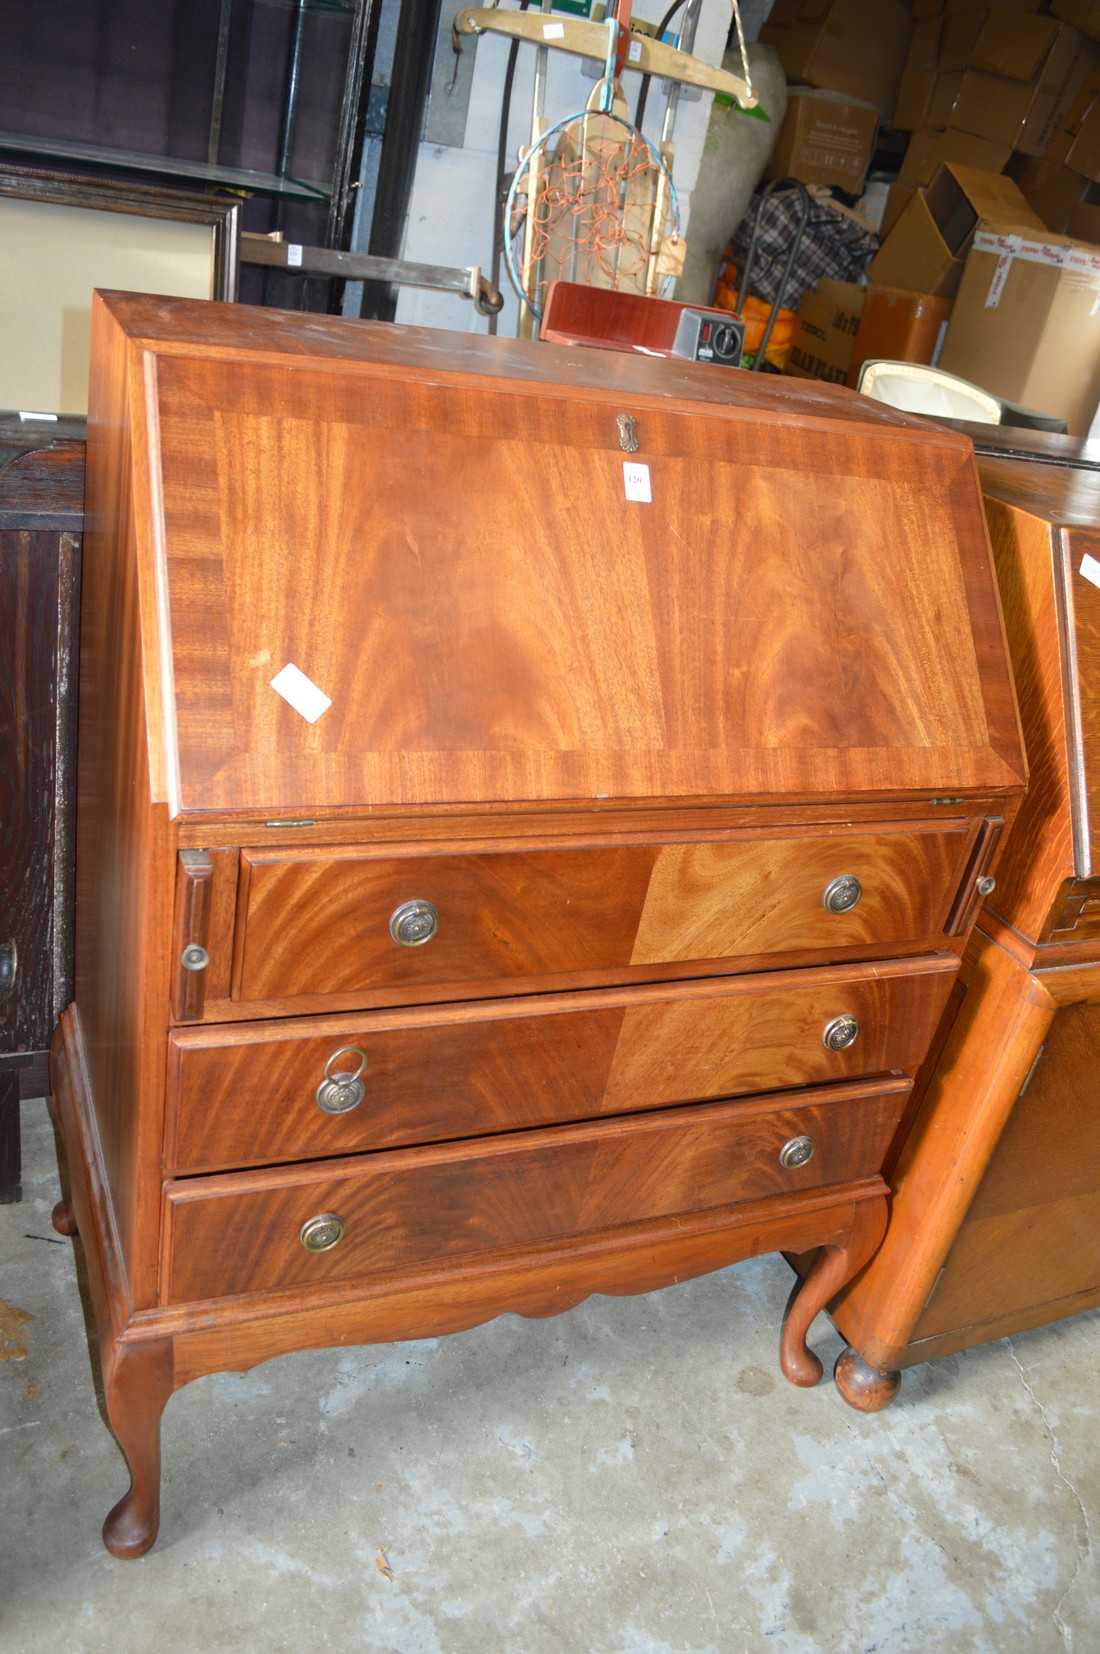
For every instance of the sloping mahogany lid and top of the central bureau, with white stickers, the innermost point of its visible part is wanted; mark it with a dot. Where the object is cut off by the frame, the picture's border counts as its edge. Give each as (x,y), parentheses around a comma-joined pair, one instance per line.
(395,568)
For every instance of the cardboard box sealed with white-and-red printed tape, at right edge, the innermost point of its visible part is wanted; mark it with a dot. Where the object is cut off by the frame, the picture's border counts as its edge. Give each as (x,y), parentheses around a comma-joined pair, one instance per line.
(1026,323)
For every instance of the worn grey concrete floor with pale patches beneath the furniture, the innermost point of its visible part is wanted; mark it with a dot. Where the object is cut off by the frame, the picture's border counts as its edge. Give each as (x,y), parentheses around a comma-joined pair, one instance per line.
(633,1478)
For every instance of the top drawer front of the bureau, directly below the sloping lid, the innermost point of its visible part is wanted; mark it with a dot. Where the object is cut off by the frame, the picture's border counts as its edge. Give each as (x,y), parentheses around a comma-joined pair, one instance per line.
(318,924)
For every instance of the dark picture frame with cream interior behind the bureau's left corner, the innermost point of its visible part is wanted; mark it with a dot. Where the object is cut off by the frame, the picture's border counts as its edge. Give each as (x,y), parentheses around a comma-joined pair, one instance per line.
(62,236)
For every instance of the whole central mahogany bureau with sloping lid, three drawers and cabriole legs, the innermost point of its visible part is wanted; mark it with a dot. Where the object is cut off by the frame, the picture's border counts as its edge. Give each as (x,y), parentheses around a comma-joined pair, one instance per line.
(580,919)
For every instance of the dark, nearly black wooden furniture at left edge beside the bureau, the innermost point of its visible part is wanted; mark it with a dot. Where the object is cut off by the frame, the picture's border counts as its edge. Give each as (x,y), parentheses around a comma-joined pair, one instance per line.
(42,499)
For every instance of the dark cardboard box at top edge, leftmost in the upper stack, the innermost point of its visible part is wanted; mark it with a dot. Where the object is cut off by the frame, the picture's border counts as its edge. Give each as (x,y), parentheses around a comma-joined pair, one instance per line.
(851,47)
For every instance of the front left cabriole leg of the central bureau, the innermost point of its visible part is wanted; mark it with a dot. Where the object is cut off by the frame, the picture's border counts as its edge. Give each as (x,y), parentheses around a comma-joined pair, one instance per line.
(138,1384)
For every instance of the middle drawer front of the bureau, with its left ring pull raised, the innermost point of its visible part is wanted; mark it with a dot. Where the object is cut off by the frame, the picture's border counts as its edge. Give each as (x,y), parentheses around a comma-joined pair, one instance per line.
(249,1094)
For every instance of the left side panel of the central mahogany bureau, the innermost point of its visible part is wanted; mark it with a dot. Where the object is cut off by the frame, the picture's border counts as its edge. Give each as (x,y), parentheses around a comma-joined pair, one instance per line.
(123,856)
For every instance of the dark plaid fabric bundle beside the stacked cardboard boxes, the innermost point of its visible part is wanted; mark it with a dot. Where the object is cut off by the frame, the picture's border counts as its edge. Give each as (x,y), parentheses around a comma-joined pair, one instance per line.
(833,246)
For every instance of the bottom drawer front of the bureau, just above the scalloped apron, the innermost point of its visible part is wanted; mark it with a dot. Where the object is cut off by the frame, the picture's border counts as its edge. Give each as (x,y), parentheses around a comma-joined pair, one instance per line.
(413,1208)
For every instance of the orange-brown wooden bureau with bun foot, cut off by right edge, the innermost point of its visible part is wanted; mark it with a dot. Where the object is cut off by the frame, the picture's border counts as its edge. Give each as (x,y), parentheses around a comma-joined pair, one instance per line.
(997,1192)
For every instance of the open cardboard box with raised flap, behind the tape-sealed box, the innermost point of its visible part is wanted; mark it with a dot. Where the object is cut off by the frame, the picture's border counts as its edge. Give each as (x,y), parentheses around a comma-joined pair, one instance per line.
(927,247)
